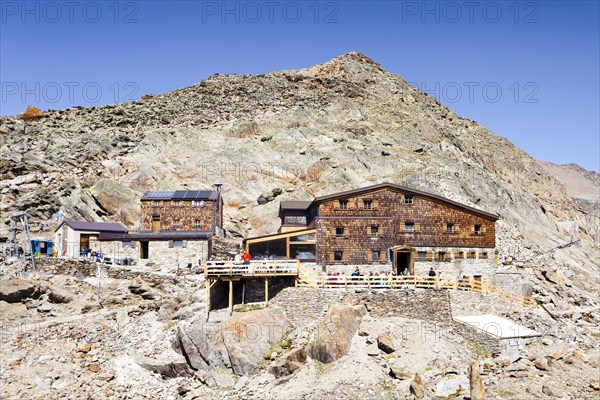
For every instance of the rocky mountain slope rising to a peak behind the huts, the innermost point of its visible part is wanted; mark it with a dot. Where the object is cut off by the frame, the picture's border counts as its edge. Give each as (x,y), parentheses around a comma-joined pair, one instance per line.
(301,133)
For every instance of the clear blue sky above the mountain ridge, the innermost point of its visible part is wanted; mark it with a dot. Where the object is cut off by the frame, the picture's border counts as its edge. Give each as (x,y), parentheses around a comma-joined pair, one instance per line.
(528,71)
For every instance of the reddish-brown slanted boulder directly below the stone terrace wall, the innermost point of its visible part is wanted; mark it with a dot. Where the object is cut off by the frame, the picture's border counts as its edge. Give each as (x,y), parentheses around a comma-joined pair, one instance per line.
(335,333)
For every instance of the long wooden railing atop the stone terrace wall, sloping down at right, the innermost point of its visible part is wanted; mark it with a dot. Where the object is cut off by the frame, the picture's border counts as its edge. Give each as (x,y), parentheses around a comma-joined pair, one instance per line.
(425,282)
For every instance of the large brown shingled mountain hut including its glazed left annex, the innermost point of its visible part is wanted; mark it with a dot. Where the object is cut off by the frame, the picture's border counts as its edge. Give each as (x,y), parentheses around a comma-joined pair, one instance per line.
(385,224)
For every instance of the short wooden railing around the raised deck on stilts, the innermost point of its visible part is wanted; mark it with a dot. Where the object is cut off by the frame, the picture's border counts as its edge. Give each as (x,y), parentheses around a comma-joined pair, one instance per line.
(258,268)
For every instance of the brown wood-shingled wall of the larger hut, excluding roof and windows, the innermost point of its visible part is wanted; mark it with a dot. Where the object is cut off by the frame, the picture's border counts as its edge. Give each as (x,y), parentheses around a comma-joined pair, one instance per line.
(391,213)
